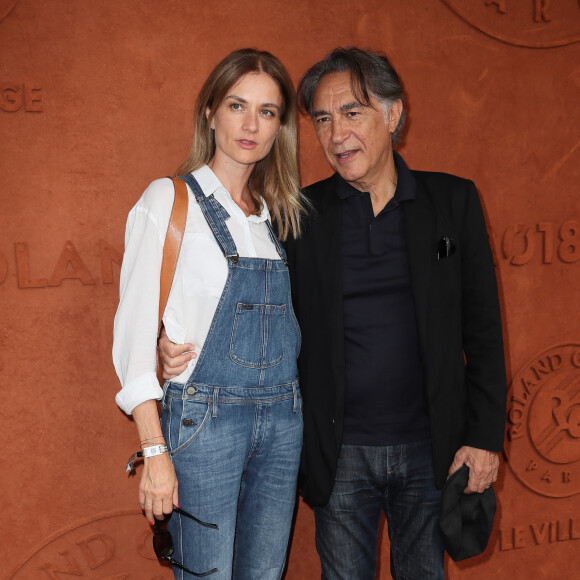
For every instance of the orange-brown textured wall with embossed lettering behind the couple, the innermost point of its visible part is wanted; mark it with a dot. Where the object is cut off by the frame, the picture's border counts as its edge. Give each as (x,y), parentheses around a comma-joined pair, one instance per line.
(96,100)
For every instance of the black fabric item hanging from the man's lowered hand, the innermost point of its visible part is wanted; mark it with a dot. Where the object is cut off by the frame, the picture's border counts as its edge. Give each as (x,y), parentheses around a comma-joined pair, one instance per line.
(466,520)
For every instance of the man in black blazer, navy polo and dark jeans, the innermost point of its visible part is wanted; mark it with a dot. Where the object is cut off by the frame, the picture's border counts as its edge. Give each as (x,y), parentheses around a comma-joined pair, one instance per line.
(401,367)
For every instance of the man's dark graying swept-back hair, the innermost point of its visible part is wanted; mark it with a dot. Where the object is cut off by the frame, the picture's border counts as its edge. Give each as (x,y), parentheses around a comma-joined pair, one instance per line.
(371,75)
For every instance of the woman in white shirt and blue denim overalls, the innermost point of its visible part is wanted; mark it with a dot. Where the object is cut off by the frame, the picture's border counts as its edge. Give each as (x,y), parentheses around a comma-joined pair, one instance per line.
(232,421)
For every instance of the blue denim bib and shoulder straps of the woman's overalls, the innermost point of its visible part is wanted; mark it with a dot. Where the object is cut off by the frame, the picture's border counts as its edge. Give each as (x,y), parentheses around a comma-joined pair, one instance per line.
(253,340)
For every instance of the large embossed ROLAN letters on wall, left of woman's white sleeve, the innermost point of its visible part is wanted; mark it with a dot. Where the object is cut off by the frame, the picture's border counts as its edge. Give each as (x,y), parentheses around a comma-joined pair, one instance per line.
(70,265)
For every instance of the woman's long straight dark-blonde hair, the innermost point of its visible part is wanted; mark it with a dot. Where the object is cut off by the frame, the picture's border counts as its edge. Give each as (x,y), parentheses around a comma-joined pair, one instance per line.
(276,177)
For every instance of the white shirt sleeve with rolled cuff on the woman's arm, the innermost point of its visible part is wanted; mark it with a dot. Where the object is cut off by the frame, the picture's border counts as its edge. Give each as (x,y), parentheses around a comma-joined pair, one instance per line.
(135,328)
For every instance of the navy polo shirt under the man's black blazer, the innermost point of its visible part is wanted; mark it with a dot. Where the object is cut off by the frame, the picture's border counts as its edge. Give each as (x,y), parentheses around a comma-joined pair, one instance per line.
(385,400)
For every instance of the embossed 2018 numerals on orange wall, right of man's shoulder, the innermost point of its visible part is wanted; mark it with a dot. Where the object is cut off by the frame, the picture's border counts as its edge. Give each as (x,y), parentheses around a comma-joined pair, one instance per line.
(551,242)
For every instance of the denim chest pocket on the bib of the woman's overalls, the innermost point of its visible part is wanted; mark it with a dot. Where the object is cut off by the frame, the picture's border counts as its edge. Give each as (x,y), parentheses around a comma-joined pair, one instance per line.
(257,339)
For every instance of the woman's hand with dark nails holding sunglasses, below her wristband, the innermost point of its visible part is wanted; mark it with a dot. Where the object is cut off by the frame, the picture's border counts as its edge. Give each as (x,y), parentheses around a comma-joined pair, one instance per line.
(158,487)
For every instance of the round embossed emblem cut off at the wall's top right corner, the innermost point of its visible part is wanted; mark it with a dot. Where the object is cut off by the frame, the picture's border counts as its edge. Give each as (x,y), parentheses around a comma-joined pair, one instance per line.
(530,23)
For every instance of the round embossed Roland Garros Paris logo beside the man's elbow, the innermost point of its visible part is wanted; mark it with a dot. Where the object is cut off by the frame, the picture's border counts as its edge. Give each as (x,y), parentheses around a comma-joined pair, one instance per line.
(543,427)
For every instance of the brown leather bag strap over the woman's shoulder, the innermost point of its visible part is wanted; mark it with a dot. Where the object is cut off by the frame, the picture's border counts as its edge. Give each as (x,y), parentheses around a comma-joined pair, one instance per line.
(172,243)
